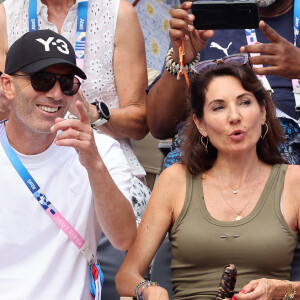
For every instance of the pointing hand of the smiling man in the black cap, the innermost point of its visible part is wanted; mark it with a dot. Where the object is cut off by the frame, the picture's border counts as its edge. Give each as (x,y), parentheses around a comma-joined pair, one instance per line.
(78,134)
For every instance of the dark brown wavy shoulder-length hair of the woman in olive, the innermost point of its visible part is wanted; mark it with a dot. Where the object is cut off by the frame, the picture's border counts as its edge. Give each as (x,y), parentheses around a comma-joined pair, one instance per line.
(195,157)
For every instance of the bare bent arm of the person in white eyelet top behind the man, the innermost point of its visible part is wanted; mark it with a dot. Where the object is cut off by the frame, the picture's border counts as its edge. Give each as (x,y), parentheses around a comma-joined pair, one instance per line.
(130,70)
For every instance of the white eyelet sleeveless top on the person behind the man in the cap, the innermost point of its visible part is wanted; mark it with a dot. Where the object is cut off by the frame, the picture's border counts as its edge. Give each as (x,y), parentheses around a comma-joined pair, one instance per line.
(98,63)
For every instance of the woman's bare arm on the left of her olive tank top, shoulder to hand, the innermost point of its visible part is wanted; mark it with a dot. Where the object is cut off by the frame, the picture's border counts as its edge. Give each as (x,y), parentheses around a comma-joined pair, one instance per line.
(168,194)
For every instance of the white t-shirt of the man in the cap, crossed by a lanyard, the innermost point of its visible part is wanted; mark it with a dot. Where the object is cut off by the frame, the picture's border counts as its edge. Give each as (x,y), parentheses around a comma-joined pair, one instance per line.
(37,259)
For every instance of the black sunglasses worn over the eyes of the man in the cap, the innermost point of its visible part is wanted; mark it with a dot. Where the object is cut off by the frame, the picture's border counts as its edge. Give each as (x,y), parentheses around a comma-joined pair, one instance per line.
(45,81)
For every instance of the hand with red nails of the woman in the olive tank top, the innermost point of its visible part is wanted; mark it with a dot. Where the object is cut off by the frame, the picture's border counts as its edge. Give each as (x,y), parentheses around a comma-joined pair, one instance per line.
(264,289)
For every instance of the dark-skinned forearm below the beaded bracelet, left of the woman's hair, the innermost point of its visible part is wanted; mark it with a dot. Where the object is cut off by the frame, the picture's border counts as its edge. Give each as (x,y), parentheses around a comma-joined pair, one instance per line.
(166,105)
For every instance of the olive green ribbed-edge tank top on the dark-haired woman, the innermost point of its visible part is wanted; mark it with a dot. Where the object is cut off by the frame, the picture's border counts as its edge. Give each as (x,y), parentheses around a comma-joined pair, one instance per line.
(260,245)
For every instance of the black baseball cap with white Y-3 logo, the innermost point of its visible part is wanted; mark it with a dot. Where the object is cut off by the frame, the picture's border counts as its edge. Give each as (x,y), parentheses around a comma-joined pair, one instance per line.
(40,49)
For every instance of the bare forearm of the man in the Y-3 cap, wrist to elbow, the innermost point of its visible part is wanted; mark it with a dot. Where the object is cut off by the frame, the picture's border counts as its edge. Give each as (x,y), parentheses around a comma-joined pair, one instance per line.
(114,211)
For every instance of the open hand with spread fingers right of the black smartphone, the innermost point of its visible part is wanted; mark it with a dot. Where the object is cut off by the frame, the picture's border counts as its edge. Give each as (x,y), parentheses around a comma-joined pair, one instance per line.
(281,55)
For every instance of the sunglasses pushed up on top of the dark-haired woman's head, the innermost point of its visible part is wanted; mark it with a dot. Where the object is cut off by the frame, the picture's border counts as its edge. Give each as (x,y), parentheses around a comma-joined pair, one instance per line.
(235,59)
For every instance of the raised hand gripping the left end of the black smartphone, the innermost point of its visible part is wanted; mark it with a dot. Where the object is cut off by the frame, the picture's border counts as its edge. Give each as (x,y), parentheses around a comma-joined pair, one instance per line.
(182,29)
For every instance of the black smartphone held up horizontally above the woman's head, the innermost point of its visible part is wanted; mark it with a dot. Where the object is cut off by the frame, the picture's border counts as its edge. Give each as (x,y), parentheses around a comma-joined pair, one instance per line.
(225,14)
